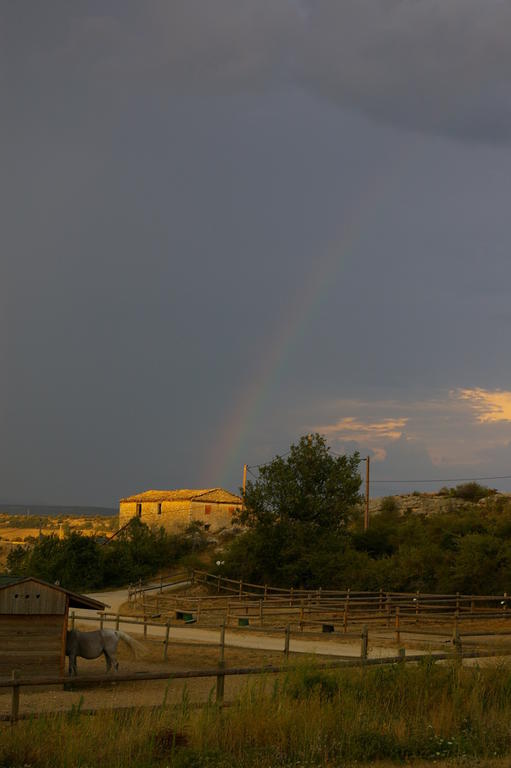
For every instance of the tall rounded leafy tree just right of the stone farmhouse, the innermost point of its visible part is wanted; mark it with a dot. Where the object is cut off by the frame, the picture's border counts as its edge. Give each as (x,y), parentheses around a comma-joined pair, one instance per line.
(297,513)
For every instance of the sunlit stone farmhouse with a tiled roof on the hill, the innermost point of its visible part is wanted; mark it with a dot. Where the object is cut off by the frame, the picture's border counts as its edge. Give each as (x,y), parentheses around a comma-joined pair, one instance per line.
(175,510)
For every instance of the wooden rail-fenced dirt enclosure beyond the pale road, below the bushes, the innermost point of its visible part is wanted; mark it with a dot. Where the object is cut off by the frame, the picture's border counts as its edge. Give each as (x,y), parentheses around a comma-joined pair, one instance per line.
(246,603)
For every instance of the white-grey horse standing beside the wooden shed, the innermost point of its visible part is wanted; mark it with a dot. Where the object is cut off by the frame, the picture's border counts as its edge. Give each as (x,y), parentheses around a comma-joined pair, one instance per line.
(90,645)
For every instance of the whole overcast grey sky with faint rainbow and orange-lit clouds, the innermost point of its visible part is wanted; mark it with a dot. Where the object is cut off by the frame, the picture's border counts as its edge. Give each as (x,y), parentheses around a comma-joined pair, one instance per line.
(227,223)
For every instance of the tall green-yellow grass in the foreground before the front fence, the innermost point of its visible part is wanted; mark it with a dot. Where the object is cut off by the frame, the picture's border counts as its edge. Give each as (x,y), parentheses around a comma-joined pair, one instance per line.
(304,718)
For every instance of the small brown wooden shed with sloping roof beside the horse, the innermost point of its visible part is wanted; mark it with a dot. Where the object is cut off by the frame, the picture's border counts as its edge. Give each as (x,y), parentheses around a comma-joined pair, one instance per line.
(33,624)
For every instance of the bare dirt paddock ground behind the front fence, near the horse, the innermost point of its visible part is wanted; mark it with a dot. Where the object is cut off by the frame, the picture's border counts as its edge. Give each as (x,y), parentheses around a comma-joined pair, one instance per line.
(144,694)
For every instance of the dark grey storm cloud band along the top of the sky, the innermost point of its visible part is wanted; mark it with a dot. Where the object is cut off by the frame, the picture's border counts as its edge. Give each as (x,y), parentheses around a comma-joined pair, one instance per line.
(437,66)
